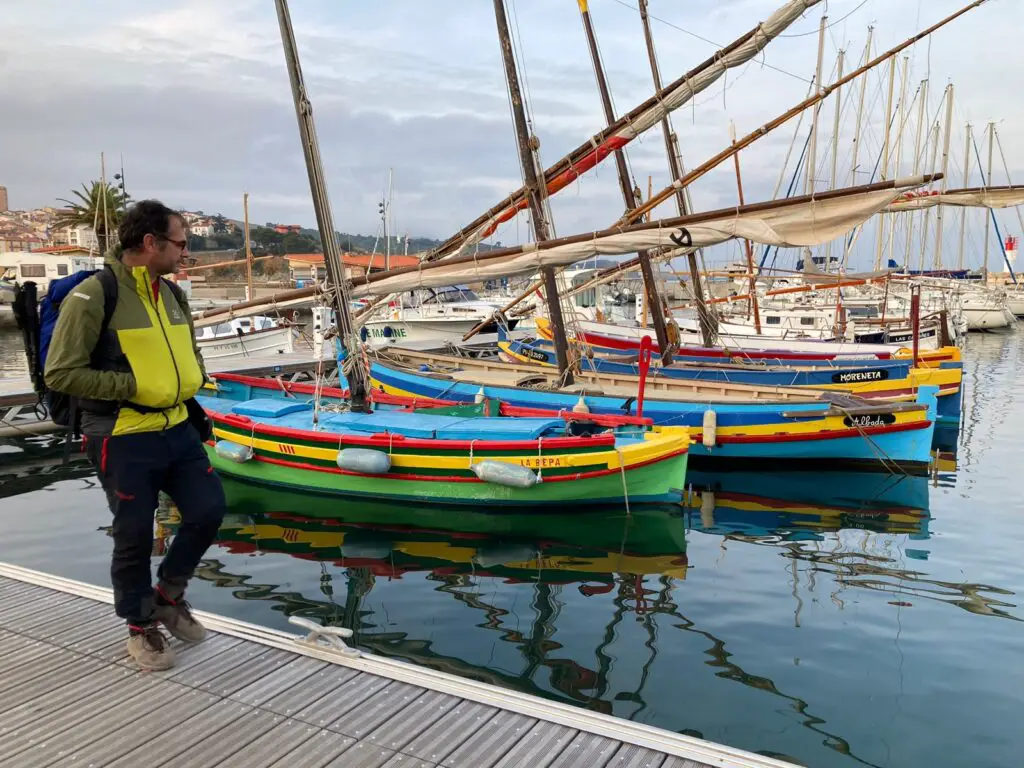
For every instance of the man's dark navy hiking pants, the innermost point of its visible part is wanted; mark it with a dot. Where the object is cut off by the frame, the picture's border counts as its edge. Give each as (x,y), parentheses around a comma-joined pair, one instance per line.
(134,470)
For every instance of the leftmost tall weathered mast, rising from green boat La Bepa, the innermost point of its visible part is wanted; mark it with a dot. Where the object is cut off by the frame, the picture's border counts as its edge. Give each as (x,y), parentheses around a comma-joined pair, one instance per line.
(338,289)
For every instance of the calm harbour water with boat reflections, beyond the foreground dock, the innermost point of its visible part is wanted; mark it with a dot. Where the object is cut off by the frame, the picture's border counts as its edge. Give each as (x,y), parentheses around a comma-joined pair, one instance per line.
(827,619)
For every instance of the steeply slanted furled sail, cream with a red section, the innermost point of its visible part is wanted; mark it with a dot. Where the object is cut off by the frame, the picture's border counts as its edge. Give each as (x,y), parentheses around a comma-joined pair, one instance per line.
(631,125)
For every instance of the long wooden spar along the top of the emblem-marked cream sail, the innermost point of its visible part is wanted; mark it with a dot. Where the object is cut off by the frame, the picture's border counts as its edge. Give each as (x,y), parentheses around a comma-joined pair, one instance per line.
(504,253)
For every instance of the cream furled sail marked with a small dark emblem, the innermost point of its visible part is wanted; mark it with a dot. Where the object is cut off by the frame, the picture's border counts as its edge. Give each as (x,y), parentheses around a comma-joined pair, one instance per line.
(808,221)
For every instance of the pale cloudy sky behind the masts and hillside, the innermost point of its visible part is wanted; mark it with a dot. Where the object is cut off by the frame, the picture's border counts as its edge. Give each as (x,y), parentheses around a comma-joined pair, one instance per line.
(195,96)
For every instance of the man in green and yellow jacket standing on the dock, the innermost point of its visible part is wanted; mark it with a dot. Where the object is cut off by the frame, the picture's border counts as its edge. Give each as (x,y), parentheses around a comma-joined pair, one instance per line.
(132,383)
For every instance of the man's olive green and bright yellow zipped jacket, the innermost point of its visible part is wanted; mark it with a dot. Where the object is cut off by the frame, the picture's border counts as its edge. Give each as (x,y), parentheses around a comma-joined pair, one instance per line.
(149,357)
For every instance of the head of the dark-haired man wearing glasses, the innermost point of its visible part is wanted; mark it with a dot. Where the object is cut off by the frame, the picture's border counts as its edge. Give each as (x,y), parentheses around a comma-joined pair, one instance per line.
(154,236)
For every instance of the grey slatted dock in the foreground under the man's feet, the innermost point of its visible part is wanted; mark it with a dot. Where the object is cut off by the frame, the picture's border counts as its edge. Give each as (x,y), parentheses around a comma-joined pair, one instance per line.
(257,698)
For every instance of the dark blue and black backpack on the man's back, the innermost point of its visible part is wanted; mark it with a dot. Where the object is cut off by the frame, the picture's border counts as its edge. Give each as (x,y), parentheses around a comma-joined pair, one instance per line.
(37,325)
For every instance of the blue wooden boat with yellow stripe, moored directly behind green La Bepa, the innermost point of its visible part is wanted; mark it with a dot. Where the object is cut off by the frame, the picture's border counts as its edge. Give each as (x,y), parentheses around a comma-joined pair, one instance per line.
(730,423)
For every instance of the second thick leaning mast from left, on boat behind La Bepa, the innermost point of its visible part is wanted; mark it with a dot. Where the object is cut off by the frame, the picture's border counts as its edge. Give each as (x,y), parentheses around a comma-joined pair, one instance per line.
(528,148)
